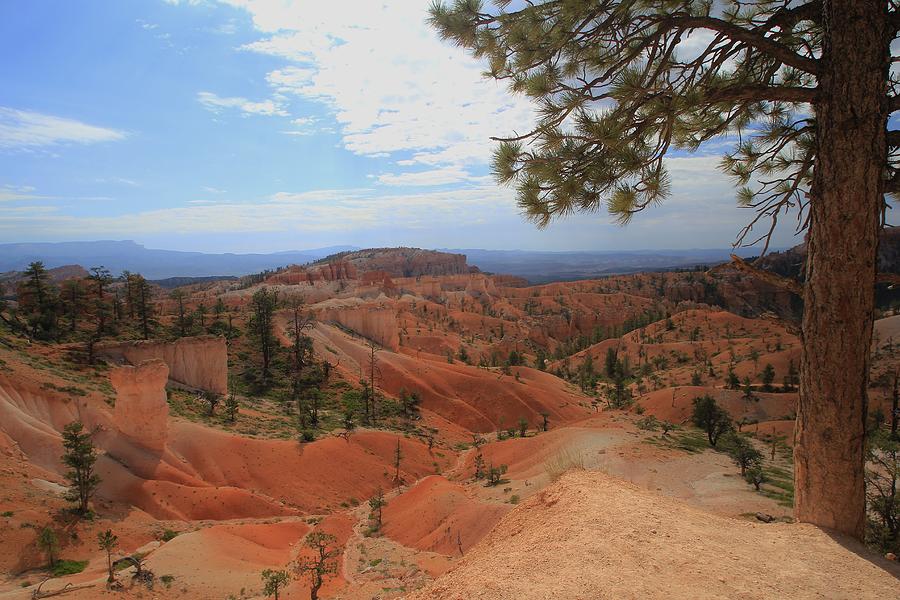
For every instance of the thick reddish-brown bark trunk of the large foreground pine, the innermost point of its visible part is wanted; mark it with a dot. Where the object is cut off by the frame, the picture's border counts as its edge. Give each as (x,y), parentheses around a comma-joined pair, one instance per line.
(845,207)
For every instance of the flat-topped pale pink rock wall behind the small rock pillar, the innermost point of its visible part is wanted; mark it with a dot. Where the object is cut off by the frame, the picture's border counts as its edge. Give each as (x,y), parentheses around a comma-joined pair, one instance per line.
(197,362)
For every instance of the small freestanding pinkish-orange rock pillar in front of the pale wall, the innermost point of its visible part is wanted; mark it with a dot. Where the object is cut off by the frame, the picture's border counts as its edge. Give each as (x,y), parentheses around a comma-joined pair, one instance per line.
(141,411)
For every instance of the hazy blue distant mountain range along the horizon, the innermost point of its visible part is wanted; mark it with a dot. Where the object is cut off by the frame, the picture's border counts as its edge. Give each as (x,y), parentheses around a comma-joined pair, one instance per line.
(536,266)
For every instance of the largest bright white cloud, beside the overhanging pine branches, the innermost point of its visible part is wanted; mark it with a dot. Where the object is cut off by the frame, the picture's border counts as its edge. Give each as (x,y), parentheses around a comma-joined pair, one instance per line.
(389,81)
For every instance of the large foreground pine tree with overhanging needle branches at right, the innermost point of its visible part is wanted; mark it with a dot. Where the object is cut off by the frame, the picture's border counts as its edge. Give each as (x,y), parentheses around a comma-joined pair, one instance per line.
(618,88)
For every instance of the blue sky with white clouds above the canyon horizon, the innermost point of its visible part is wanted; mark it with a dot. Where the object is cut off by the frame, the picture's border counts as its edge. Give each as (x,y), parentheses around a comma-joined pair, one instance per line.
(270,125)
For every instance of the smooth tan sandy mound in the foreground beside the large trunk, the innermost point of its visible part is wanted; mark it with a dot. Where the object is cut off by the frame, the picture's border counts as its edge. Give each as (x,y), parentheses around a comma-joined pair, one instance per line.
(594,536)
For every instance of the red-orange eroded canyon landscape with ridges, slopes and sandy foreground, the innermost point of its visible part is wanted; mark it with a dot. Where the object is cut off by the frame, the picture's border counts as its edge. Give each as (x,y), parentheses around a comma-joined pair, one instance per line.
(506,376)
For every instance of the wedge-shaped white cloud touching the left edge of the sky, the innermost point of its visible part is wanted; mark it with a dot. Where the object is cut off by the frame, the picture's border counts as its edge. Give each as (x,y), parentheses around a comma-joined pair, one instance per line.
(27,129)
